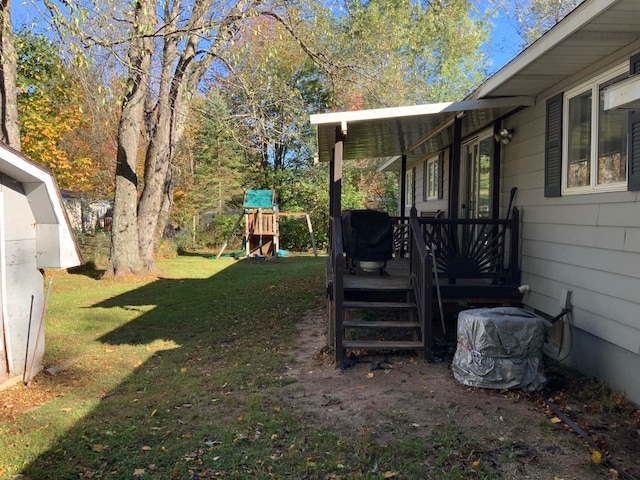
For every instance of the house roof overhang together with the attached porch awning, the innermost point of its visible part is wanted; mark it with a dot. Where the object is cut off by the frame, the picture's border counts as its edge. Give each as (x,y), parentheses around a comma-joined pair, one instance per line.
(587,36)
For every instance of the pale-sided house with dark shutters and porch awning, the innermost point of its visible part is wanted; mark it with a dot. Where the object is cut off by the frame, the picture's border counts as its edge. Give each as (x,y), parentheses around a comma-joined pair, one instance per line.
(555,132)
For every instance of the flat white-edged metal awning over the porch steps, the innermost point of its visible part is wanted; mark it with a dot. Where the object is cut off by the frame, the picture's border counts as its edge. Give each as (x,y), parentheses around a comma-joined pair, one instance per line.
(413,131)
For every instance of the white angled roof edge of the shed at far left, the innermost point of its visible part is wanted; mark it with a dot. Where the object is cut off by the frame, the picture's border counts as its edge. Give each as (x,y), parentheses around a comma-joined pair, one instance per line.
(56,246)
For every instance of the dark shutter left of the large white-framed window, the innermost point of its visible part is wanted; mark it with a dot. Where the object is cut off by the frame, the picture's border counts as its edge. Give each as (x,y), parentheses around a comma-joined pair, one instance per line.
(553,148)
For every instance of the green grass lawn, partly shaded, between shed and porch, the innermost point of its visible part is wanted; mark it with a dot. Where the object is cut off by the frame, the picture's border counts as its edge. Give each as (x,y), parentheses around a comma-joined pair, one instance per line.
(181,377)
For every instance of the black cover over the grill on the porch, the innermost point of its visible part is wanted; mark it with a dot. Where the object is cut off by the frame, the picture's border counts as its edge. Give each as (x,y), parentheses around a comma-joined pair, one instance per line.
(367,235)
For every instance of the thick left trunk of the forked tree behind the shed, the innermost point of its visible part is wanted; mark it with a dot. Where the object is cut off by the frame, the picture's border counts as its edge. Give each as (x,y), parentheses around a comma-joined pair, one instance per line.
(125,256)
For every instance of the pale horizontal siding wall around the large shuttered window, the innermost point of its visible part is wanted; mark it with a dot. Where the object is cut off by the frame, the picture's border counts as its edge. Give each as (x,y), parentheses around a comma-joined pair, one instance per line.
(589,244)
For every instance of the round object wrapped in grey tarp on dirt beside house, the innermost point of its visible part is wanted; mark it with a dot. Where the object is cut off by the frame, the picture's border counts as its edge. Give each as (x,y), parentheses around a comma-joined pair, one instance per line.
(500,348)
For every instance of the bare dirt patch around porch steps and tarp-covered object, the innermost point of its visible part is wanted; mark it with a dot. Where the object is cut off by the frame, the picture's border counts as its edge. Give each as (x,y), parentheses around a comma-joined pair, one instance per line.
(387,396)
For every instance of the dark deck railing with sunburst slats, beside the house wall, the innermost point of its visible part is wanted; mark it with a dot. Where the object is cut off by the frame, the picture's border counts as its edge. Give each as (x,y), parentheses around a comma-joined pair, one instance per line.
(468,248)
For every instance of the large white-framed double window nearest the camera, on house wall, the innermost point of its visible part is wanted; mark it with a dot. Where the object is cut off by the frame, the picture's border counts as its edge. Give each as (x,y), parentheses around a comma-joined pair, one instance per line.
(595,146)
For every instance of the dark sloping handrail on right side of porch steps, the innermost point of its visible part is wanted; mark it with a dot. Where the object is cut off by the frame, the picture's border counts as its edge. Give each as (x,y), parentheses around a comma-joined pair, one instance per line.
(420,274)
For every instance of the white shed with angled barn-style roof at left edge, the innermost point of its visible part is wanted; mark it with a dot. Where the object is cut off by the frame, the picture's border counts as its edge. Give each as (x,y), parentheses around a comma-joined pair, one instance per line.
(34,234)
